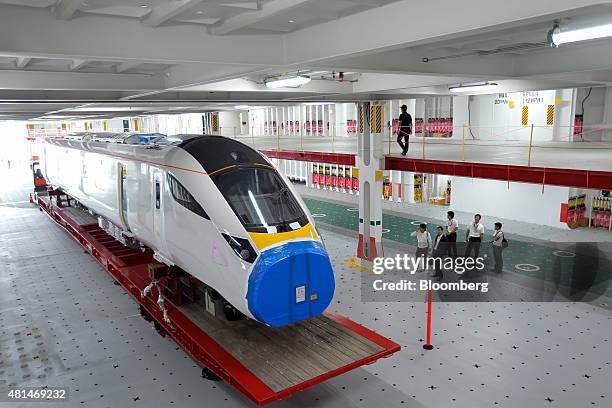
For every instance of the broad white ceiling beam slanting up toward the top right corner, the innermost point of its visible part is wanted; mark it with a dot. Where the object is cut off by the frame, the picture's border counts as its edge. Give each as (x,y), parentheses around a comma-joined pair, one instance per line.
(470,17)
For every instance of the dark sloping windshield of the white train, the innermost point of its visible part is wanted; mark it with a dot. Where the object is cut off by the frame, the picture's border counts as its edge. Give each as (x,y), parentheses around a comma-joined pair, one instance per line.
(261,199)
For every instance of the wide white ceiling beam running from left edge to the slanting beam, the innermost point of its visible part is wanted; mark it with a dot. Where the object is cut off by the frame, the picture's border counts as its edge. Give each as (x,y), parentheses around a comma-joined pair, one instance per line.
(88,38)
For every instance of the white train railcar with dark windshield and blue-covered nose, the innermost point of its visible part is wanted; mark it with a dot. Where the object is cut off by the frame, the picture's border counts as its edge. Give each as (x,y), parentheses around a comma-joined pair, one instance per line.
(212,206)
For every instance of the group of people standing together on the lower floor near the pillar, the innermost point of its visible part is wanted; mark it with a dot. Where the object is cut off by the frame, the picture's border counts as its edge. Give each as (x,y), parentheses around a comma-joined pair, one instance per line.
(444,243)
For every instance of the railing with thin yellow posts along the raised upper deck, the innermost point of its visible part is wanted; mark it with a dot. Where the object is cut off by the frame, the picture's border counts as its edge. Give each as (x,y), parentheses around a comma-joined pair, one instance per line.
(530,145)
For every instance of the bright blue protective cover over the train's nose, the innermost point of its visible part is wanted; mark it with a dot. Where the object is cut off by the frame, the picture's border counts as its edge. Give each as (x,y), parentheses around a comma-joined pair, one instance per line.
(291,282)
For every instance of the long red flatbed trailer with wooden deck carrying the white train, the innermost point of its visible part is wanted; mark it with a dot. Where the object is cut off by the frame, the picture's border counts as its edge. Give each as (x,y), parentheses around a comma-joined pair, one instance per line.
(268,364)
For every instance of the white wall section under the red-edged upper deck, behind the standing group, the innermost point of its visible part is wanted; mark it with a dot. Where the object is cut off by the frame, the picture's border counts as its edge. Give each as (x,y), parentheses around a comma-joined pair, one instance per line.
(521,201)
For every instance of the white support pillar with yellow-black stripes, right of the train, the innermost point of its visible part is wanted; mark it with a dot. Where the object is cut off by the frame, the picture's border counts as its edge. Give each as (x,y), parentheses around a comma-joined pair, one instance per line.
(369,162)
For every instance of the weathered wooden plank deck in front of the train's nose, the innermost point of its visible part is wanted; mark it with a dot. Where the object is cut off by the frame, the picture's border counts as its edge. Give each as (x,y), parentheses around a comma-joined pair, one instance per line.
(283,357)
